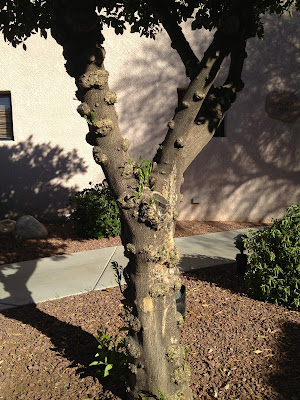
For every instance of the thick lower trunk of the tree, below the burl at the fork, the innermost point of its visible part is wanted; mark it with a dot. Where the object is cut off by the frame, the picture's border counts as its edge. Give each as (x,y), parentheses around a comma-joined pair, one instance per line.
(158,362)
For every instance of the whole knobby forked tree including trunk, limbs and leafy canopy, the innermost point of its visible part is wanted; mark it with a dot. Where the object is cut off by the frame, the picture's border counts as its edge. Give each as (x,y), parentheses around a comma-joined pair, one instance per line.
(148,195)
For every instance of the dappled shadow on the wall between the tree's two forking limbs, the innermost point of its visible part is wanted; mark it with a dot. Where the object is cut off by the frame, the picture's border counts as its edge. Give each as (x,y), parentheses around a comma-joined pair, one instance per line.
(147,95)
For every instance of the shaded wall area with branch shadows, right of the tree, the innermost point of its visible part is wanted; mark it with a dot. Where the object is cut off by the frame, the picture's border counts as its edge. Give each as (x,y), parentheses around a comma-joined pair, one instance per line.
(253,173)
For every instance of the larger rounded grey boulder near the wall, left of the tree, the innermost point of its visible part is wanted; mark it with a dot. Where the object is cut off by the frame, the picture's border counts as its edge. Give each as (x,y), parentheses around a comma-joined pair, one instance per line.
(27,227)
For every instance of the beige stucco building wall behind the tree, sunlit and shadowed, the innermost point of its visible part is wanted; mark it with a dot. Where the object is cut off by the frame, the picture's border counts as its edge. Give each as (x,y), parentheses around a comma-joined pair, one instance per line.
(252,174)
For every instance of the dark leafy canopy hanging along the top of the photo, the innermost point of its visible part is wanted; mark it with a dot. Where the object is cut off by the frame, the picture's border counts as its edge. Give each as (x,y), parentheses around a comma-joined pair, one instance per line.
(19,19)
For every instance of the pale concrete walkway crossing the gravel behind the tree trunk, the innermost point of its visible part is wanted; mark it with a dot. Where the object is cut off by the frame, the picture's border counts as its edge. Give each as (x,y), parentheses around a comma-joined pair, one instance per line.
(54,277)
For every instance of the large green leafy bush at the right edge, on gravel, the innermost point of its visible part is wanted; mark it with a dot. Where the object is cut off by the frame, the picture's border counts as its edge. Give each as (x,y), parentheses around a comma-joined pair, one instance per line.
(273,271)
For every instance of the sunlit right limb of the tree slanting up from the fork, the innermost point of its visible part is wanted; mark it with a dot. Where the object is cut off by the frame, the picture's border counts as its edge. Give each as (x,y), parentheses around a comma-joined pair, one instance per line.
(187,135)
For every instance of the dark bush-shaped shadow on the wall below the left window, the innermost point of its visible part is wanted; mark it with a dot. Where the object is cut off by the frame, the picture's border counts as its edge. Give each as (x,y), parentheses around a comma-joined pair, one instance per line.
(32,177)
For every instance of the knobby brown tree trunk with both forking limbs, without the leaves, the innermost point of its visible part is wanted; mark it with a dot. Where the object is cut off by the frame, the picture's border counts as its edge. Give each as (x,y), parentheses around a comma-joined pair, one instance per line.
(148,213)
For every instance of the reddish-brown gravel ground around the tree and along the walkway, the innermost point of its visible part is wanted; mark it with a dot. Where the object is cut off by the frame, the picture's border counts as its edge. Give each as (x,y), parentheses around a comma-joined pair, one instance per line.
(239,348)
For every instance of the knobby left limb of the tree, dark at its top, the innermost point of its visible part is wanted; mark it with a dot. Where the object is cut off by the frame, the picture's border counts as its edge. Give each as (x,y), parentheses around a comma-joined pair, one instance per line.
(77,30)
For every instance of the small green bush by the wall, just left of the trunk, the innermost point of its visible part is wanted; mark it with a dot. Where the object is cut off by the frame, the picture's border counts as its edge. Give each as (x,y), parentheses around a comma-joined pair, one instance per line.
(95,213)
